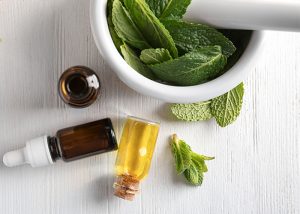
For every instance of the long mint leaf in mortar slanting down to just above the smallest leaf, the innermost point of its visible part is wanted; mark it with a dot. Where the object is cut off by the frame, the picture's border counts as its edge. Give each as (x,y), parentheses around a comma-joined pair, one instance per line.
(153,30)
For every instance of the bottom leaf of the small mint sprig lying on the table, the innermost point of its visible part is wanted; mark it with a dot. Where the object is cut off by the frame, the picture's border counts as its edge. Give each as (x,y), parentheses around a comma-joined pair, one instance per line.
(193,174)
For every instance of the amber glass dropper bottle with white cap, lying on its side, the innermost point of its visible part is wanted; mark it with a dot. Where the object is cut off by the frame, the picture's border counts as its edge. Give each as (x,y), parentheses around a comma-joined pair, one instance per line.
(69,144)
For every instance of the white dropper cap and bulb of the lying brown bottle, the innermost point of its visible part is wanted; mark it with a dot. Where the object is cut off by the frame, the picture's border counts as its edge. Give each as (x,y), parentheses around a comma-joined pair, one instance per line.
(36,153)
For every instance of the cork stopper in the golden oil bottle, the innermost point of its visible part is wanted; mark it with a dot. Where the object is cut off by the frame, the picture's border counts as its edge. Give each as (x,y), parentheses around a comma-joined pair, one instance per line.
(126,186)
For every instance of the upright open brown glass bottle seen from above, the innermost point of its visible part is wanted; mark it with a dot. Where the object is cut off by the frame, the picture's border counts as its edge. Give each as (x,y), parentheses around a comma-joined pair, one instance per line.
(79,86)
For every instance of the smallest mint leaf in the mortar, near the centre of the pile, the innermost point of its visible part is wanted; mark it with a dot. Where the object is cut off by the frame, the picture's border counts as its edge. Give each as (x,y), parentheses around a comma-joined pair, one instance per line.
(155,56)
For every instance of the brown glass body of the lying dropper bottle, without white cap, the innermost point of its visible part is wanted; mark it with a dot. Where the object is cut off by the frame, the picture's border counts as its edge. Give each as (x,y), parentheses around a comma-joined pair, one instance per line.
(84,140)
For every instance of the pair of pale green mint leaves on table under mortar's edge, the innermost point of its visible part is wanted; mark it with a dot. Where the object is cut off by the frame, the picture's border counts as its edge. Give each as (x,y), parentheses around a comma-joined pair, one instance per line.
(225,108)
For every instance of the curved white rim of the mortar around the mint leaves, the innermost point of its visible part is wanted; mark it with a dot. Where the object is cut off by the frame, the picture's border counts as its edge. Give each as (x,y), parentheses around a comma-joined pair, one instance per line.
(172,94)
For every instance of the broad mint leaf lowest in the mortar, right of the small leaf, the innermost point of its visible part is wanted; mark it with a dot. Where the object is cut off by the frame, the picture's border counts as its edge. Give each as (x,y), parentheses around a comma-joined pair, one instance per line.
(193,68)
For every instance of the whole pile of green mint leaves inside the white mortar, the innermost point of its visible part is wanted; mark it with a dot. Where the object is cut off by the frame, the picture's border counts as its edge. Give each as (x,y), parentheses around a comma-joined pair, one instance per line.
(150,31)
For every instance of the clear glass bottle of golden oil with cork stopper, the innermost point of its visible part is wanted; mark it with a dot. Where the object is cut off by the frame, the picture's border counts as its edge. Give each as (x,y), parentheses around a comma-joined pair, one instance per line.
(134,155)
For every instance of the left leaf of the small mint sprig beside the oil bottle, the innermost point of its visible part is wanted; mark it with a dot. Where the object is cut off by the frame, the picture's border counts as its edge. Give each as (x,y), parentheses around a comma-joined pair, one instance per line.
(182,154)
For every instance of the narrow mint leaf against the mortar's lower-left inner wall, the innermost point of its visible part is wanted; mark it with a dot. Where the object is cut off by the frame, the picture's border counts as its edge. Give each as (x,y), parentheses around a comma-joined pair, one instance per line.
(132,60)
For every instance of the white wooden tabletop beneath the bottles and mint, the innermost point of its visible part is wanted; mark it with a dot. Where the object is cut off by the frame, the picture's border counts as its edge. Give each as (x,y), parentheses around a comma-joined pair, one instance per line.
(256,169)
